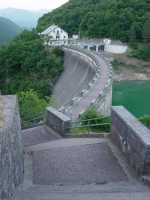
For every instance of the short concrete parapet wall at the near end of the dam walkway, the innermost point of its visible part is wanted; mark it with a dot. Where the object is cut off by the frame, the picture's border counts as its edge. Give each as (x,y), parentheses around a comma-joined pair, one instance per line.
(57,121)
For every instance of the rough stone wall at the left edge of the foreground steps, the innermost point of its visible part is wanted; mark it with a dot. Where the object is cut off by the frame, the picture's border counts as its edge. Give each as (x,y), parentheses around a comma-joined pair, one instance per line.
(11,149)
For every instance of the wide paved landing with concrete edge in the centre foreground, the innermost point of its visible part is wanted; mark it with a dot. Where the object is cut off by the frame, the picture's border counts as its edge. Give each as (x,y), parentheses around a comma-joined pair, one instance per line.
(74,161)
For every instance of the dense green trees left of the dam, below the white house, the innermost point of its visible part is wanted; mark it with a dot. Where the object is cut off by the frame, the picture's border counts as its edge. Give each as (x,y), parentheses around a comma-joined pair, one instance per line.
(25,65)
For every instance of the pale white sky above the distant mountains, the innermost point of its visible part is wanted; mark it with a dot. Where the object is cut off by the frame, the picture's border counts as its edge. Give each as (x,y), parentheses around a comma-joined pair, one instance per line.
(32,5)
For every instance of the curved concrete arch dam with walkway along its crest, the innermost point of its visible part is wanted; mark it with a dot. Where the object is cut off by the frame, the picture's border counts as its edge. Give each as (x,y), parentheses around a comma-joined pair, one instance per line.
(85,83)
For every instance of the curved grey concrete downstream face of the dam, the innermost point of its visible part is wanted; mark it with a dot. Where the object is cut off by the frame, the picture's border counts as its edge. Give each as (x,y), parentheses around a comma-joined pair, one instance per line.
(79,69)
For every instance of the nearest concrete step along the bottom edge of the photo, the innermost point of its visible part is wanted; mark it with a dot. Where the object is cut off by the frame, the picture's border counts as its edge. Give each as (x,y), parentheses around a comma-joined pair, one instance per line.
(109,191)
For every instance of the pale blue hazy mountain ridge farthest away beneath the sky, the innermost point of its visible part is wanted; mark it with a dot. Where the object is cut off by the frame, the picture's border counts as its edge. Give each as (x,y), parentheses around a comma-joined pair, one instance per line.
(23,18)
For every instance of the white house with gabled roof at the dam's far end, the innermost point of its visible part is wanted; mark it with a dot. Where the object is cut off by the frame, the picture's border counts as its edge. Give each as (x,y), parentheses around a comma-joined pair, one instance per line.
(54,35)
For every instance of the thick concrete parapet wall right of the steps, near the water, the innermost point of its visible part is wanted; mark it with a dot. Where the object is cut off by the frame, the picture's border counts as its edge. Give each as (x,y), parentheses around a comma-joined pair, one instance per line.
(132,138)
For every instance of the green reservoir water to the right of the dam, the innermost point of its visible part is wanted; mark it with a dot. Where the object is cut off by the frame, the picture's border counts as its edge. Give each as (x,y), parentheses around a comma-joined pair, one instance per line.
(134,96)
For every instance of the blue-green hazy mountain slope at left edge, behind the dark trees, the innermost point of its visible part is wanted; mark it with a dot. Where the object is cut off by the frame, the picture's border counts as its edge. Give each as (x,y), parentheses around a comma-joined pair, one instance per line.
(8,30)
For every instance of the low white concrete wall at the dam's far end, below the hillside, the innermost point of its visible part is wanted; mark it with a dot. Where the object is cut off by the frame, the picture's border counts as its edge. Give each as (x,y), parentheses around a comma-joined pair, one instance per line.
(115,48)
